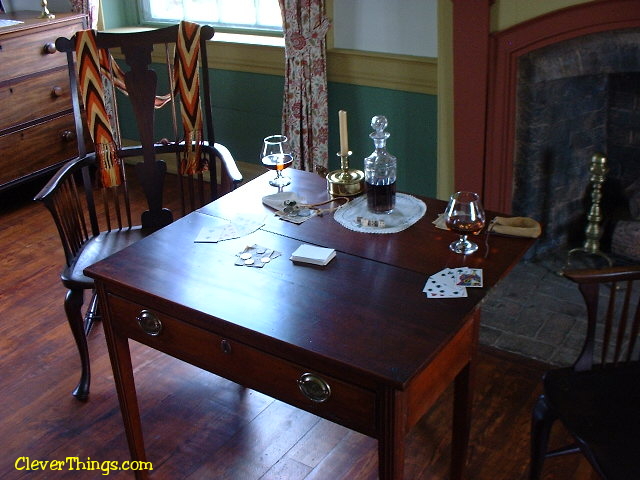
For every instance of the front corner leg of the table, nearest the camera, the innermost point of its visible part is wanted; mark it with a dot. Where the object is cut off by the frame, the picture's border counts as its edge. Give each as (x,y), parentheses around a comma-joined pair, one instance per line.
(391,425)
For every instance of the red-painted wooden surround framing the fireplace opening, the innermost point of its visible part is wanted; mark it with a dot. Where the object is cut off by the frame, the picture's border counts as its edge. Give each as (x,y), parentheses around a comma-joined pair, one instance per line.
(485,77)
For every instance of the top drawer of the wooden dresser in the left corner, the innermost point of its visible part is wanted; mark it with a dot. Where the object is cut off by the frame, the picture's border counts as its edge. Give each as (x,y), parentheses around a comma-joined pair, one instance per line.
(27,54)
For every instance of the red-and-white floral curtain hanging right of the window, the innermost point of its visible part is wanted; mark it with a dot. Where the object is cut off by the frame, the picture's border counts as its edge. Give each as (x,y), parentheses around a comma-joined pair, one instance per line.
(305,110)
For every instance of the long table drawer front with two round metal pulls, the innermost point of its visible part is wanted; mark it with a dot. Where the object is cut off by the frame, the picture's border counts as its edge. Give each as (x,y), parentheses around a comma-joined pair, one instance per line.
(348,405)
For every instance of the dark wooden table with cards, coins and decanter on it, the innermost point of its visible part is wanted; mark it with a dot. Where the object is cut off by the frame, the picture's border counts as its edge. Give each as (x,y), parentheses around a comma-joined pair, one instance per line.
(361,326)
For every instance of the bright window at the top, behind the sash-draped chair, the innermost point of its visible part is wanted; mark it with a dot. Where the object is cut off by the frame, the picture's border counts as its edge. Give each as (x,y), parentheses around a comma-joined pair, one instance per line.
(260,15)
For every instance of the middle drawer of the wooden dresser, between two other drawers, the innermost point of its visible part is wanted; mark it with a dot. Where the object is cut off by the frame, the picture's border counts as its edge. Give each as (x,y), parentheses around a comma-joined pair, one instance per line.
(44,95)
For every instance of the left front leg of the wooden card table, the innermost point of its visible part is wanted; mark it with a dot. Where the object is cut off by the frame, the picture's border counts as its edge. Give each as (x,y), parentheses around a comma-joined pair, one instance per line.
(125,385)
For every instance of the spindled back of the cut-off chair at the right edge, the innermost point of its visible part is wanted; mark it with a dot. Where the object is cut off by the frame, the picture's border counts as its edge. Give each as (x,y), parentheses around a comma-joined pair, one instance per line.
(612,332)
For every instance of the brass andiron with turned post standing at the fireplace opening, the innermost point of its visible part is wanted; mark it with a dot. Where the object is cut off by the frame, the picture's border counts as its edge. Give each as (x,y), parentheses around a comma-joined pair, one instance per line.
(593,232)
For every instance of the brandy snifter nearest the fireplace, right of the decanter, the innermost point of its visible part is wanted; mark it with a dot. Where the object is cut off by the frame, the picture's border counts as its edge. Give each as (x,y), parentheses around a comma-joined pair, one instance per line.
(464,215)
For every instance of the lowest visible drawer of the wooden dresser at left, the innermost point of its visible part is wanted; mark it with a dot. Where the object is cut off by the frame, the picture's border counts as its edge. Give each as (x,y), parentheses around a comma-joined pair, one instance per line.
(37,147)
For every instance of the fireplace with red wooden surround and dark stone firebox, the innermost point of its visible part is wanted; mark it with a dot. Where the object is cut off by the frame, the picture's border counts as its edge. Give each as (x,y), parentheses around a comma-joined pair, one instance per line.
(526,97)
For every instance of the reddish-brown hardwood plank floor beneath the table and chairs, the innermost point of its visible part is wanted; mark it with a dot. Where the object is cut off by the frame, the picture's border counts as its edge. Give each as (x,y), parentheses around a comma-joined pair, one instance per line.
(197,425)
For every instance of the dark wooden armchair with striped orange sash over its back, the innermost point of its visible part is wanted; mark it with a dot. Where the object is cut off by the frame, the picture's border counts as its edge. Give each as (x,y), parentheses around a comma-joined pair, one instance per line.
(95,220)
